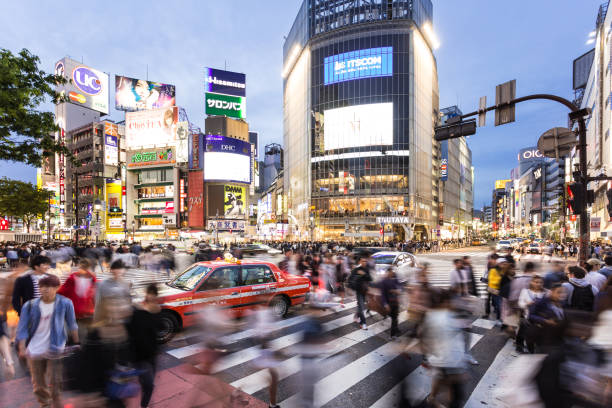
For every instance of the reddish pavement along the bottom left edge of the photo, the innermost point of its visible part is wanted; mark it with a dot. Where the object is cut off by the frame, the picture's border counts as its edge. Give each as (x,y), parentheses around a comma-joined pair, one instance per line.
(180,386)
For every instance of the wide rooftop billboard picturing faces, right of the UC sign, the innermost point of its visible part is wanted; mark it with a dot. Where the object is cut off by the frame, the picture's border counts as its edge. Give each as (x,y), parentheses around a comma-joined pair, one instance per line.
(137,94)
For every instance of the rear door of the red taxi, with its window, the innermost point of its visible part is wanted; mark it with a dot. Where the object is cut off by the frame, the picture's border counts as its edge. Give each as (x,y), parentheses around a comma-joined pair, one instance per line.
(259,285)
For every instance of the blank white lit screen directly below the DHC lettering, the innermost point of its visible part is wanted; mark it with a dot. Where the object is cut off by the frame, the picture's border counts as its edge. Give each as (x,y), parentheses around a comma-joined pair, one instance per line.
(223,166)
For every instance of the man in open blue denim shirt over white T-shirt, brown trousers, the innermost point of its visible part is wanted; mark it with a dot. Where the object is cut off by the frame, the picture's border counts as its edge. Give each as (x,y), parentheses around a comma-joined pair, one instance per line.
(41,337)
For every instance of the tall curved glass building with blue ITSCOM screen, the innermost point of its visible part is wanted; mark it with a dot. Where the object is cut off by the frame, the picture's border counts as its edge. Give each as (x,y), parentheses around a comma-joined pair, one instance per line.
(360,104)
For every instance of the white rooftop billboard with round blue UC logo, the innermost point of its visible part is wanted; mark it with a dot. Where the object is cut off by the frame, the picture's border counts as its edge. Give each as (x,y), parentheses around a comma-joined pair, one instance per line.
(89,87)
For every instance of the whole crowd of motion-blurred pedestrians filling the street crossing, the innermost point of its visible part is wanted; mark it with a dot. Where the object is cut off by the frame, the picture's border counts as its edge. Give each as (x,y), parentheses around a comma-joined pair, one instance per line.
(107,343)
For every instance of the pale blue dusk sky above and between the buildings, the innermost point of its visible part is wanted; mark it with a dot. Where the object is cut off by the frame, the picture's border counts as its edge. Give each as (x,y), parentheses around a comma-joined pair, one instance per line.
(483,43)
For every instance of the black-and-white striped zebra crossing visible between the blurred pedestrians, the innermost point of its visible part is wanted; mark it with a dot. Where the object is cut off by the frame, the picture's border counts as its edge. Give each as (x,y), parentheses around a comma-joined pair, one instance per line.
(357,368)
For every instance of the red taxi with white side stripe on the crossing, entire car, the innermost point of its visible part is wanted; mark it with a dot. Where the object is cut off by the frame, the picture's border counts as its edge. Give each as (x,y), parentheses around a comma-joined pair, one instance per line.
(229,284)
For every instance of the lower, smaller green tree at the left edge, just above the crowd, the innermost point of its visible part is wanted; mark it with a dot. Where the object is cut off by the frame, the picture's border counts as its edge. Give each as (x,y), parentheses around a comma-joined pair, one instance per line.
(23,200)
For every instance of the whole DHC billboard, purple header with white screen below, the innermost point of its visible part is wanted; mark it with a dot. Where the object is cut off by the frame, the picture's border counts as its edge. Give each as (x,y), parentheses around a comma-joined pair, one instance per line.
(227,159)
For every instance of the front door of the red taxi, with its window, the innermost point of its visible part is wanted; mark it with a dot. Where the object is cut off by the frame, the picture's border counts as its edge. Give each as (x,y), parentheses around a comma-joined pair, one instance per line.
(221,288)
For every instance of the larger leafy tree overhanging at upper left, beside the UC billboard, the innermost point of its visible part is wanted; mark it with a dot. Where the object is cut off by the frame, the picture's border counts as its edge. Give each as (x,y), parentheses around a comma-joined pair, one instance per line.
(26,132)
